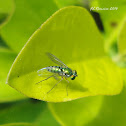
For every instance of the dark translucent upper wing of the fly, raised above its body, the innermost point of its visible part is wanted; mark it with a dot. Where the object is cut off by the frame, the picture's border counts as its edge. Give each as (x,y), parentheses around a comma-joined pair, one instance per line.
(56,60)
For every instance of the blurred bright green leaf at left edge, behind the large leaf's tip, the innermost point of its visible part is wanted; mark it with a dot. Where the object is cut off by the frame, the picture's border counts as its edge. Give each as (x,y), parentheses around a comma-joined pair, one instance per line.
(6,92)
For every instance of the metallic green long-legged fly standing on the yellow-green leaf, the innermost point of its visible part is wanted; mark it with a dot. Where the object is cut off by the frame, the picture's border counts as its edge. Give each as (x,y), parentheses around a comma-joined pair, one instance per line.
(57,71)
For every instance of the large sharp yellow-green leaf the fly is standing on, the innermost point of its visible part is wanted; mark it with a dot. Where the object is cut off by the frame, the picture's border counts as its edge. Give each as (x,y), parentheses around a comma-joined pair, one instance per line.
(71,35)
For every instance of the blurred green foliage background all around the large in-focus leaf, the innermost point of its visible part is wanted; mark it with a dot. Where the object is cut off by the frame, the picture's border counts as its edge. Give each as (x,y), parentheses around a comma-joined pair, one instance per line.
(19,19)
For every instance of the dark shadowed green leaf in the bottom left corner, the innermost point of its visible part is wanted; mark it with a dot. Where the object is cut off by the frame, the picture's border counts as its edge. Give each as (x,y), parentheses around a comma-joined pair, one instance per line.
(25,112)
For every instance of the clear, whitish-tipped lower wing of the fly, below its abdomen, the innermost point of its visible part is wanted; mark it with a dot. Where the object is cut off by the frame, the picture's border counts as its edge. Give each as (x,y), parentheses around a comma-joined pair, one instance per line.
(45,73)
